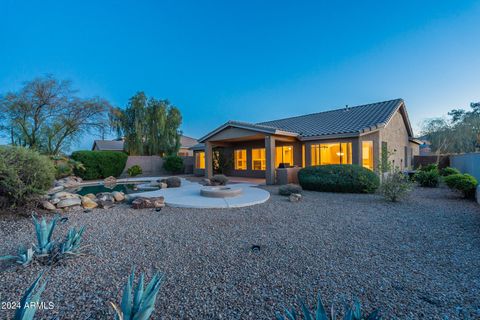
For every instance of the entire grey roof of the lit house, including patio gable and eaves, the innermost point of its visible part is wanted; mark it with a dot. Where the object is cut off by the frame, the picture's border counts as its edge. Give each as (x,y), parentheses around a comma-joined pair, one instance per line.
(347,121)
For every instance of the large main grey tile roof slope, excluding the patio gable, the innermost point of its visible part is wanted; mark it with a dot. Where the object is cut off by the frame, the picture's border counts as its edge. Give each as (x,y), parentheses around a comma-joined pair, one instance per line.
(340,121)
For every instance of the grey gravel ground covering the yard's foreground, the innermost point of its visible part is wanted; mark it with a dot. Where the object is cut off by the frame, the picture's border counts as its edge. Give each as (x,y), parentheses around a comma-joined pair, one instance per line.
(419,259)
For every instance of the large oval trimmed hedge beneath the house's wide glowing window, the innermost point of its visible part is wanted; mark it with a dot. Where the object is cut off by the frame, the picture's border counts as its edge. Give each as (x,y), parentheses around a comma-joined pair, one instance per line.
(338,178)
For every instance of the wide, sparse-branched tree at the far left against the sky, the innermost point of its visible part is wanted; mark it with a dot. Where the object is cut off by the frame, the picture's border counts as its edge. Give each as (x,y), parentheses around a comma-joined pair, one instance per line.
(46,115)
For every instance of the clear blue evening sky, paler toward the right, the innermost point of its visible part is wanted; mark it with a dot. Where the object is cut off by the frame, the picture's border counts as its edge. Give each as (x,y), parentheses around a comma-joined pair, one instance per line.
(249,60)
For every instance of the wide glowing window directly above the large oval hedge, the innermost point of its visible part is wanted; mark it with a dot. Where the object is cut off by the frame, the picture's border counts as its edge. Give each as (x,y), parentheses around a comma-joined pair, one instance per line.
(331,153)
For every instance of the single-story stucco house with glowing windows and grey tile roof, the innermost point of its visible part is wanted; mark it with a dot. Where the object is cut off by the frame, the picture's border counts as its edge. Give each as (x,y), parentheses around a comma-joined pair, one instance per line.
(352,135)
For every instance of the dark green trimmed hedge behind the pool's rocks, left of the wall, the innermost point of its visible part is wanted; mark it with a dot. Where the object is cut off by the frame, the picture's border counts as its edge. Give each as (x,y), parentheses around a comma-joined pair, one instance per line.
(100,164)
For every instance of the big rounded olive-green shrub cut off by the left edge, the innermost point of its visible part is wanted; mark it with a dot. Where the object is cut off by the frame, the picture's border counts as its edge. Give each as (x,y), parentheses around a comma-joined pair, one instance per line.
(24,175)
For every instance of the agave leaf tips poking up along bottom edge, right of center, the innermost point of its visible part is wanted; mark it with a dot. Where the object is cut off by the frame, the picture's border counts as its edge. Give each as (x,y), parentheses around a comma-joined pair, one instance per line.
(351,313)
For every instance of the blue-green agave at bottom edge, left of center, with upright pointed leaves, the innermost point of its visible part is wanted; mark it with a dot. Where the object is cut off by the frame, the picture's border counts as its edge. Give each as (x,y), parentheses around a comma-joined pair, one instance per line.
(140,304)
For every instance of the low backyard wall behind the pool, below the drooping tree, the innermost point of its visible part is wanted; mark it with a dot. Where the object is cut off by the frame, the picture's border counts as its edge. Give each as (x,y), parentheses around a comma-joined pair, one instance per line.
(153,165)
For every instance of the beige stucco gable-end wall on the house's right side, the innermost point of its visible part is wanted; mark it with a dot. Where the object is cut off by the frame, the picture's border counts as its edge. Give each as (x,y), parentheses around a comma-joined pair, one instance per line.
(396,136)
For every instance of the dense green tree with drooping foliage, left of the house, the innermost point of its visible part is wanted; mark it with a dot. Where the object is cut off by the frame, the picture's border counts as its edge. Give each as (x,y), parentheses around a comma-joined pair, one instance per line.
(149,126)
